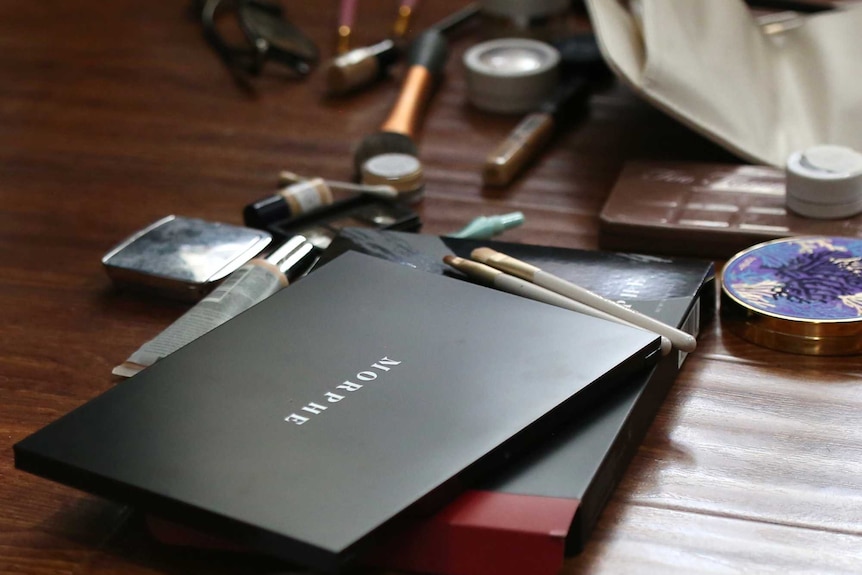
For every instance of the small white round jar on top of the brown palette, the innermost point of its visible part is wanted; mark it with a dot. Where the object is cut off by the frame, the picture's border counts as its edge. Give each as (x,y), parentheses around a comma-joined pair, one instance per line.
(824,182)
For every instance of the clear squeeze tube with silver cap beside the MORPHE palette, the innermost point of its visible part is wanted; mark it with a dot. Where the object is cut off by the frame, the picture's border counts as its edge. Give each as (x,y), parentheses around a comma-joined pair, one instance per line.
(245,287)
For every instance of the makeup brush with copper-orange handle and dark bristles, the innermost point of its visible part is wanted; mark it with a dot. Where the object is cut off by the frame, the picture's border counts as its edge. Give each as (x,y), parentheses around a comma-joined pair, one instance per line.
(426,60)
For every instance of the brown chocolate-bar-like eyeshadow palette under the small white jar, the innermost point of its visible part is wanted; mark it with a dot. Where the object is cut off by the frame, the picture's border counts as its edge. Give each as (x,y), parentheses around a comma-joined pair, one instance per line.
(704,210)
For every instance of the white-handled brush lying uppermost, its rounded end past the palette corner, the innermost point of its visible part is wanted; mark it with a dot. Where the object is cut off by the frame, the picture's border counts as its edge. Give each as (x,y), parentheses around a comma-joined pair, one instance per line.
(680,339)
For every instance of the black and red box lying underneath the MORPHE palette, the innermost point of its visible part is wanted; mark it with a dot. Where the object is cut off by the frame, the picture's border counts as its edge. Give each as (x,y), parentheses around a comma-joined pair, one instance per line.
(543,506)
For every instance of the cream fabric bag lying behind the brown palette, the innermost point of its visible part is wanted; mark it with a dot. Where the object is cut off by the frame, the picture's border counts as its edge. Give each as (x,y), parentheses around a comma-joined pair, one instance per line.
(712,65)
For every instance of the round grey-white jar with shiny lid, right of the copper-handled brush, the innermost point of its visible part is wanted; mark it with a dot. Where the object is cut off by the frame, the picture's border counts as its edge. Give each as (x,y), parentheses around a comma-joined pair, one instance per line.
(511,75)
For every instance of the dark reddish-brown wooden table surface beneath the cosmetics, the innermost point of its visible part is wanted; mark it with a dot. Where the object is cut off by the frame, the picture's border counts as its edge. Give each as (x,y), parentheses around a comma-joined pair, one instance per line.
(114,114)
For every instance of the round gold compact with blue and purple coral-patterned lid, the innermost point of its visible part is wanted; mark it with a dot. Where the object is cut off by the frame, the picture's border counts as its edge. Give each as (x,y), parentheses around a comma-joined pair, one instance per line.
(798,294)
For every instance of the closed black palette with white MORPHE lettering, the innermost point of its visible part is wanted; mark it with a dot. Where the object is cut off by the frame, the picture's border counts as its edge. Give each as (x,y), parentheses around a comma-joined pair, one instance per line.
(317,419)
